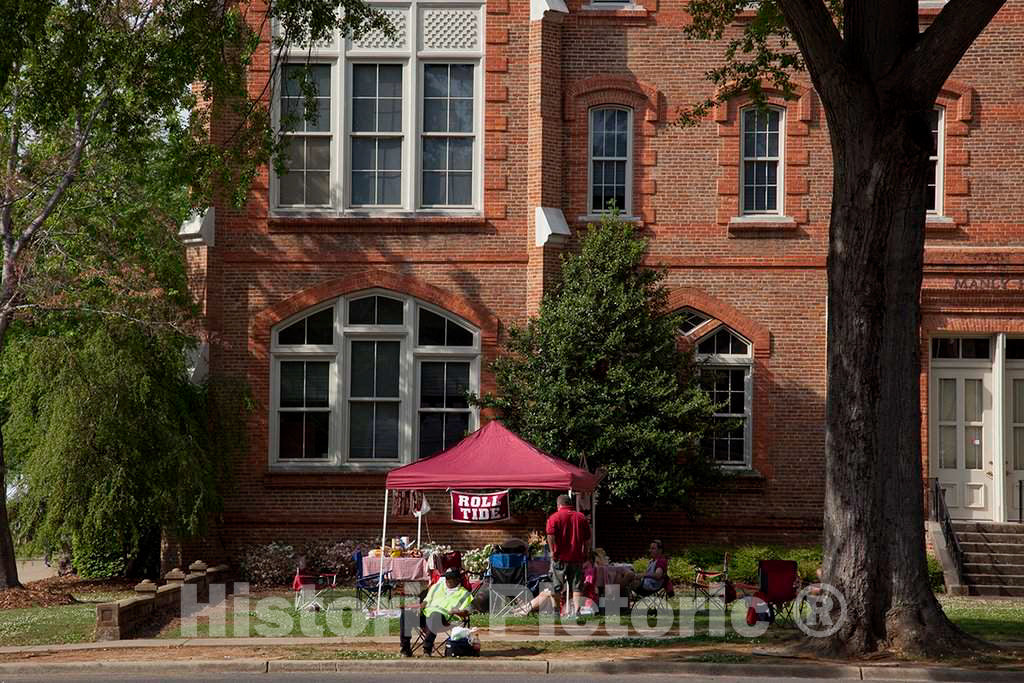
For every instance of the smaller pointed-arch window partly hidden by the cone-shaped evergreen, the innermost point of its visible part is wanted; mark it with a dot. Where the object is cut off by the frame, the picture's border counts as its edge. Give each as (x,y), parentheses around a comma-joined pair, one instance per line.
(727,365)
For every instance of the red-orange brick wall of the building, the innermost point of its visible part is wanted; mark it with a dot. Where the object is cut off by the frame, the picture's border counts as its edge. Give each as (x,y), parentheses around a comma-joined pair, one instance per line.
(541,79)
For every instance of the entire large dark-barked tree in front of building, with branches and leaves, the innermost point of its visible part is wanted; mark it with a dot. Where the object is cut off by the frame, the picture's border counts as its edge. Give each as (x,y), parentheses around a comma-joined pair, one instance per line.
(878,75)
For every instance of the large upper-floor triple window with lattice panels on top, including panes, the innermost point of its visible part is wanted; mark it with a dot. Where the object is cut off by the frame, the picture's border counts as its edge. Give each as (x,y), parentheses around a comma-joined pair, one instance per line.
(406,119)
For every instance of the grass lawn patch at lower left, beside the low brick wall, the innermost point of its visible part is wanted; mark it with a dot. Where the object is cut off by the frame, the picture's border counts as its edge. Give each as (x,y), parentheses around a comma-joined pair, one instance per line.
(64,624)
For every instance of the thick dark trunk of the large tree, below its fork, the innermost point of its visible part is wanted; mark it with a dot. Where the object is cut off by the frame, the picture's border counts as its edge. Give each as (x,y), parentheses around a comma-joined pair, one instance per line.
(874,545)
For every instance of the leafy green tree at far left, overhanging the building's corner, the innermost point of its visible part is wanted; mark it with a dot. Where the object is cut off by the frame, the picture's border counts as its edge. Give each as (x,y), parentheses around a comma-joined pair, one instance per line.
(90,92)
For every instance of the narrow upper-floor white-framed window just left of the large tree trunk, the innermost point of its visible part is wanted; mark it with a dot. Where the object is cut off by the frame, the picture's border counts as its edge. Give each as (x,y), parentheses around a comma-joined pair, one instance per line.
(762,161)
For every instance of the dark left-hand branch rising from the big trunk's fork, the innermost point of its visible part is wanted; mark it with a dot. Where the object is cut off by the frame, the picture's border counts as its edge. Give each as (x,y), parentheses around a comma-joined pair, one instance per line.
(819,38)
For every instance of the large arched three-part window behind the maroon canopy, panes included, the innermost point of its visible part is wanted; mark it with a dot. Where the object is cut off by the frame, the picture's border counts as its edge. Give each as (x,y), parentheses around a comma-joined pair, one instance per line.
(374,379)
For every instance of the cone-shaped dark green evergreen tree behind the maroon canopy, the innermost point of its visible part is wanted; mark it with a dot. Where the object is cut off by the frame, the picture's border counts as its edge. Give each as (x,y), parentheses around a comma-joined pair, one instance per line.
(599,378)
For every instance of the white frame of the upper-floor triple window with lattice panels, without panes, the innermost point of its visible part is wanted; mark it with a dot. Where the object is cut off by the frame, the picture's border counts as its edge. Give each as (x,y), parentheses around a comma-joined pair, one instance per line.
(342,54)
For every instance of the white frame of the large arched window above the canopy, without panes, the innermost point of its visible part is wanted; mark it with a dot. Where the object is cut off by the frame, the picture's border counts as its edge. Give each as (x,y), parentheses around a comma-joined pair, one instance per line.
(339,355)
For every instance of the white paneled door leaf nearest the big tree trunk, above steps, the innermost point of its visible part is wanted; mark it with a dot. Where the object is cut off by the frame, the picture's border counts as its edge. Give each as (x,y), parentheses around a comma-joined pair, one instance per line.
(961,407)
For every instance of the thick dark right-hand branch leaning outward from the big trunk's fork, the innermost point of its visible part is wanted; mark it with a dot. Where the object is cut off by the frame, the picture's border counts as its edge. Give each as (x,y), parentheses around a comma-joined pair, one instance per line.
(942,47)
